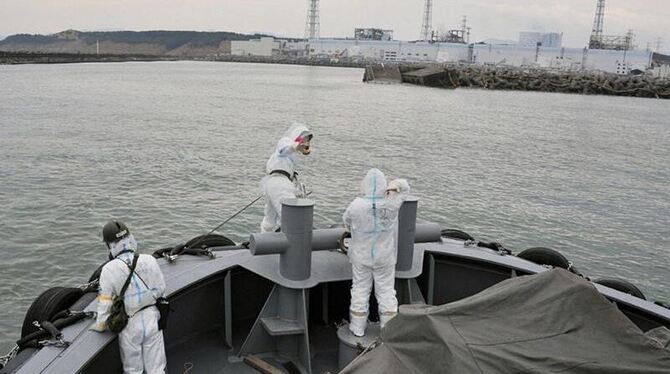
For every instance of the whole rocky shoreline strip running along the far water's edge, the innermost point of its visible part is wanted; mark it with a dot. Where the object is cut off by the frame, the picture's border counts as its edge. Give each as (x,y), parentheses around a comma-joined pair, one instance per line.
(430,75)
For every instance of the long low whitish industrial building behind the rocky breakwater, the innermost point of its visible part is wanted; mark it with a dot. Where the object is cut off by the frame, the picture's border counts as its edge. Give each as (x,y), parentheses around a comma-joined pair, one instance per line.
(621,62)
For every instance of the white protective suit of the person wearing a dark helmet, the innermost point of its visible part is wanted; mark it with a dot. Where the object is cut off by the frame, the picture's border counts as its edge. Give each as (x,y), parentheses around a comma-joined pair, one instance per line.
(140,342)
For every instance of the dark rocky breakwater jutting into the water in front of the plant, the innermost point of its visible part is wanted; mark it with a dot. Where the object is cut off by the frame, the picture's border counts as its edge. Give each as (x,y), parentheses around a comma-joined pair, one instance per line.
(508,78)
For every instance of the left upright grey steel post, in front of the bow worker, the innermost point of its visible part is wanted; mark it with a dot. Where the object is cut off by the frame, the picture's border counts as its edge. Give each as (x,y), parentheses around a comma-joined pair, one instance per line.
(297,216)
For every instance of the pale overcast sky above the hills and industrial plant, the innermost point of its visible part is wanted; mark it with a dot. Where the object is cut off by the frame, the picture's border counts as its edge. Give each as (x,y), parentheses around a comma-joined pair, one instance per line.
(499,19)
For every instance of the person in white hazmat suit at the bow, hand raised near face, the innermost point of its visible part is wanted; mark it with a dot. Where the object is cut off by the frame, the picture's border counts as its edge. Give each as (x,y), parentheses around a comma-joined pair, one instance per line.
(281,181)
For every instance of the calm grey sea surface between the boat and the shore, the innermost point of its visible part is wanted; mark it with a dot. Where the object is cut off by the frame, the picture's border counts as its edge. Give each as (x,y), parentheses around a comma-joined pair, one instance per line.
(175,148)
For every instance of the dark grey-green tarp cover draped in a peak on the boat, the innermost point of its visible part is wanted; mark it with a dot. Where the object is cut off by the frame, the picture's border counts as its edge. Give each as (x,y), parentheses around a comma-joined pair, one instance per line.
(552,322)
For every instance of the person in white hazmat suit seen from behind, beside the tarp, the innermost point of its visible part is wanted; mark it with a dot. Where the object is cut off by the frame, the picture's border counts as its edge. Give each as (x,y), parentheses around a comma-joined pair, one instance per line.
(372,220)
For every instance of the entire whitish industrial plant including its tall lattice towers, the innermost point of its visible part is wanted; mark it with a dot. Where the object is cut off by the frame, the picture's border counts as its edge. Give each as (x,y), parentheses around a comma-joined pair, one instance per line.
(533,50)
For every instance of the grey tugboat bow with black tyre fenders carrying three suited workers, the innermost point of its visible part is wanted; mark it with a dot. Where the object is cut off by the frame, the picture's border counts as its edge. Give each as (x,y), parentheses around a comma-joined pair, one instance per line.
(279,304)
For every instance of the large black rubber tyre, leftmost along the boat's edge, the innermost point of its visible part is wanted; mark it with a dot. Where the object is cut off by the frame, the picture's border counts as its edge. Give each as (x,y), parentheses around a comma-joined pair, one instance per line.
(47,305)
